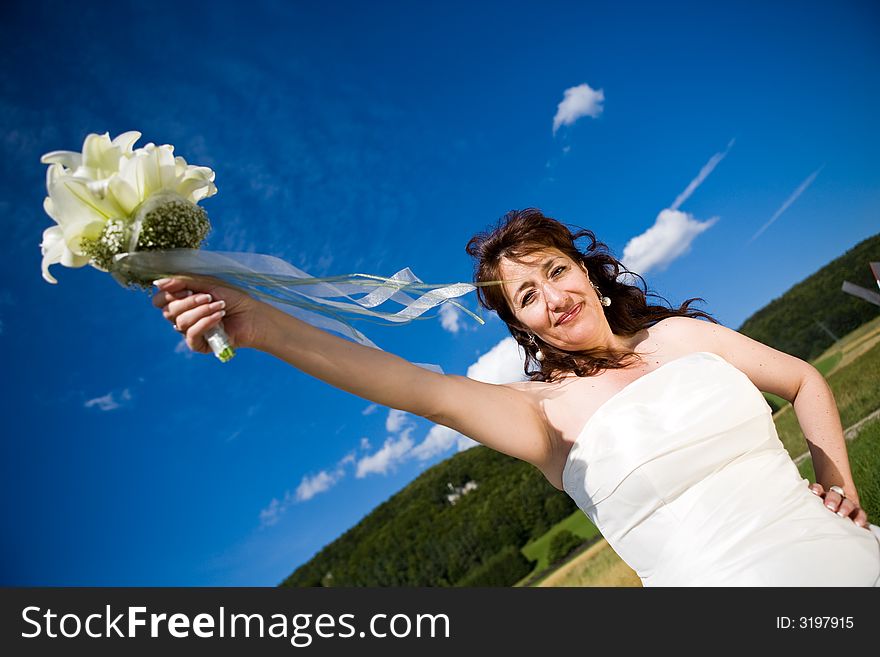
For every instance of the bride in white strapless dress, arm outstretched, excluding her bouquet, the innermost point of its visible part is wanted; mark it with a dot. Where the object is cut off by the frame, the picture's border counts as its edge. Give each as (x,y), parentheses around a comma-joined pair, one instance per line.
(650,419)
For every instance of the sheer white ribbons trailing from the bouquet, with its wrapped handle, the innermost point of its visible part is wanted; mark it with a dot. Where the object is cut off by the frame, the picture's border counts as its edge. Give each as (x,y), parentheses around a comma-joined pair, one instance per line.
(323,302)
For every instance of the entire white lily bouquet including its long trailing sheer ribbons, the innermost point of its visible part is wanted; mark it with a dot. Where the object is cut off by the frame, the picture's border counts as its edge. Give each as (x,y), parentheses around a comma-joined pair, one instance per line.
(133,212)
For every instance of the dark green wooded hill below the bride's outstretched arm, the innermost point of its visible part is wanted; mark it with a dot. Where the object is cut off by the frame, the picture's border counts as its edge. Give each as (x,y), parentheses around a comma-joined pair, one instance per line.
(420,538)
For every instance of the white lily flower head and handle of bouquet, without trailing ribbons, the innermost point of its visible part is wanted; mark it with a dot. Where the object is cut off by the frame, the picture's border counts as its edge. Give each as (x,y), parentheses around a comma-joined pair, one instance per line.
(112,199)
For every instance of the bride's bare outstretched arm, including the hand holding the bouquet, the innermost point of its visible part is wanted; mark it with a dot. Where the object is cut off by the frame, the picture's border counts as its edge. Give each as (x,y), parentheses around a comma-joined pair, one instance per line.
(501,417)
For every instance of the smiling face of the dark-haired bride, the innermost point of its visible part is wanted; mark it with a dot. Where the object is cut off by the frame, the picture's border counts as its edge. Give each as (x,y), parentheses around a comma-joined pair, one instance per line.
(544,289)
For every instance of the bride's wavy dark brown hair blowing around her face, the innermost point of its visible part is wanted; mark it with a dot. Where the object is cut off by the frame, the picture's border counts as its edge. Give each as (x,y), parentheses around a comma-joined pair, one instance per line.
(522,232)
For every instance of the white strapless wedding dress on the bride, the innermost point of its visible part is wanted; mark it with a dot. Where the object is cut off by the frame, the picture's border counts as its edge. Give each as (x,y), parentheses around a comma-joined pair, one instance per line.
(683,473)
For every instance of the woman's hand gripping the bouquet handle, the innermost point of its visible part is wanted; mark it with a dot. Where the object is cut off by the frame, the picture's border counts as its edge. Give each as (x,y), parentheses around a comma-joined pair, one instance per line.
(193,305)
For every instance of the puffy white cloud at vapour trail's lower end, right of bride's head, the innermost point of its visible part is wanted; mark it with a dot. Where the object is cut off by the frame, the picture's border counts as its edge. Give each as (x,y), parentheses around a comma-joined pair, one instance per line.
(670,237)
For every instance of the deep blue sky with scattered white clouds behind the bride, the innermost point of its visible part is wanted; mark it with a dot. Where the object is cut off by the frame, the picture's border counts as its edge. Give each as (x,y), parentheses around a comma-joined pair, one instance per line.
(366,137)
